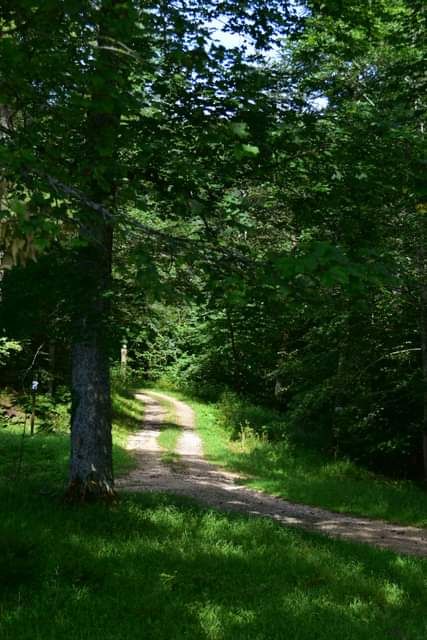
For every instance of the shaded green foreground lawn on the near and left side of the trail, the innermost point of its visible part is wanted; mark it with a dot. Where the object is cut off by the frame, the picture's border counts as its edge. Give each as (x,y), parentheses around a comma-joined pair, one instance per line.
(157,567)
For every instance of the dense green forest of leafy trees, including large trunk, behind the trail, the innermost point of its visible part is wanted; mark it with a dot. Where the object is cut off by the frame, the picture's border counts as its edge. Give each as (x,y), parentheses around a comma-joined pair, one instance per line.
(236,190)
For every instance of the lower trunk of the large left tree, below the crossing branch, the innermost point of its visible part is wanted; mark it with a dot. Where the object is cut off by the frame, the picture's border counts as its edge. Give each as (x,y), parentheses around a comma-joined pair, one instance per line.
(91,468)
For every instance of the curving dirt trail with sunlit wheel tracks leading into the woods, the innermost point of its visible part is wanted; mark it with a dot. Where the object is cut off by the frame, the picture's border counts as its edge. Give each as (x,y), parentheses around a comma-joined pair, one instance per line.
(198,479)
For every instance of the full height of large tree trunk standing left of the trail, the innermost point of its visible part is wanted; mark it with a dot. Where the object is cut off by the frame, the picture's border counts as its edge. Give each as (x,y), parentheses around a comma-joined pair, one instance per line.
(91,468)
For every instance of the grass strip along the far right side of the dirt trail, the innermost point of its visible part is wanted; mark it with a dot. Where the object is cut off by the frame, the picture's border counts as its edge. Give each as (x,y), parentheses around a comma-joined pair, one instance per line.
(304,476)
